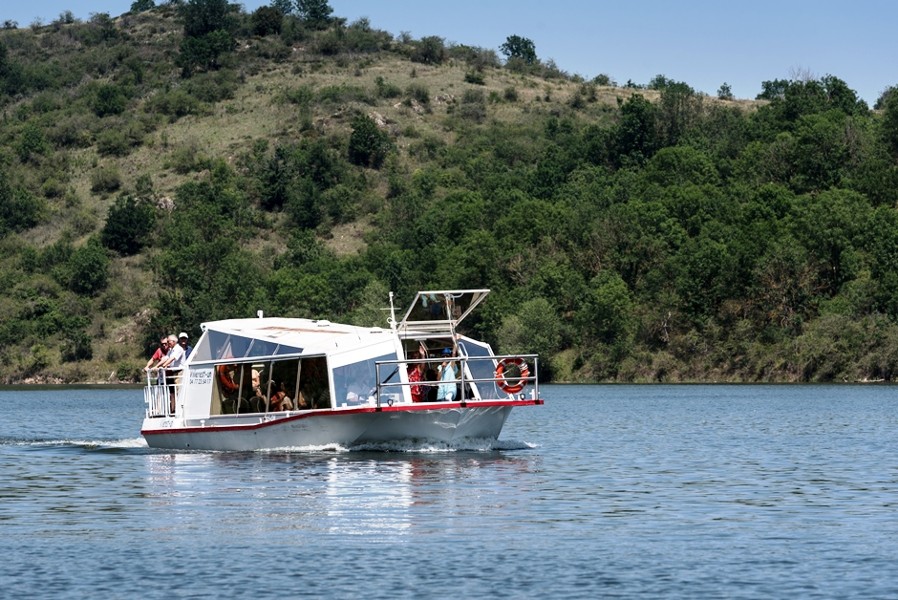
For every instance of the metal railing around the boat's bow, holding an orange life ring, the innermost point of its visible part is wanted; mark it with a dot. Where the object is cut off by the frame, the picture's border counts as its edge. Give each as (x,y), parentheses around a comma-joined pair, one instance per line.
(468,387)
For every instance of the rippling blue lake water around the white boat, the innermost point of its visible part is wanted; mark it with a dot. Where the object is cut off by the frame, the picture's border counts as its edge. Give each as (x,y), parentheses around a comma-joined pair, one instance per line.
(606,491)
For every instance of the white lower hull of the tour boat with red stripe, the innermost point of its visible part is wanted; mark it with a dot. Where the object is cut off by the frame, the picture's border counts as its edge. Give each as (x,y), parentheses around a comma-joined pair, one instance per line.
(442,423)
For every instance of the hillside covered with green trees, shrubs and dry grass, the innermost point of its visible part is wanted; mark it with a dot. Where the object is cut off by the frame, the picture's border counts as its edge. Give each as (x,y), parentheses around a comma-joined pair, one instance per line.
(188,161)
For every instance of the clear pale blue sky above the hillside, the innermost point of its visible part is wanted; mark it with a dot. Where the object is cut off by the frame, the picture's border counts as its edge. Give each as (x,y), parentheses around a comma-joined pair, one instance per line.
(703,43)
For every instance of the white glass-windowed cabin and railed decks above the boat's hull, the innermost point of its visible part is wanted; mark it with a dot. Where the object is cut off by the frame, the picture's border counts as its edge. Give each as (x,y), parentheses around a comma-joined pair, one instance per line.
(256,367)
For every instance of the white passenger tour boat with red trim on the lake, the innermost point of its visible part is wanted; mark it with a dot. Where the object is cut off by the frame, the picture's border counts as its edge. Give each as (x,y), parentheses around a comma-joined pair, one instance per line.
(285,382)
